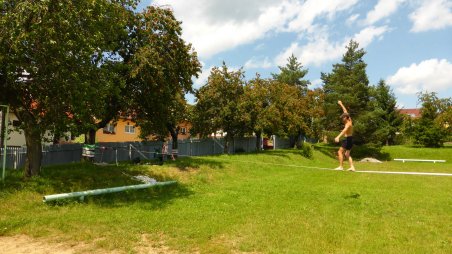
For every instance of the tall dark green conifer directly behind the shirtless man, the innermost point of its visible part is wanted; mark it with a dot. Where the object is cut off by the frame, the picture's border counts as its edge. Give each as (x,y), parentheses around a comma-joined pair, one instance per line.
(349,83)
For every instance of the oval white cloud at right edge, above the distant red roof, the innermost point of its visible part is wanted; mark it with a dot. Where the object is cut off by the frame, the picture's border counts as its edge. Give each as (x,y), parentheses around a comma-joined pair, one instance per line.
(431,75)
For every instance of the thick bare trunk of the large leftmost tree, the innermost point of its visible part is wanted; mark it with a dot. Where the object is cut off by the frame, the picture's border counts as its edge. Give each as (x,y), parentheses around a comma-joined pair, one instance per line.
(34,152)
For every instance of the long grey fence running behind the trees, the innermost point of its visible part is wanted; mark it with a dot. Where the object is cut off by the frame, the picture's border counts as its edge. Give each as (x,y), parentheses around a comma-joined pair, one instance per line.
(113,152)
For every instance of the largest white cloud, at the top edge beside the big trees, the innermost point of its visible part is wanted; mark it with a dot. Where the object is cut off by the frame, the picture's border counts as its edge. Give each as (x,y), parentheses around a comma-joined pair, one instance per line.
(214,26)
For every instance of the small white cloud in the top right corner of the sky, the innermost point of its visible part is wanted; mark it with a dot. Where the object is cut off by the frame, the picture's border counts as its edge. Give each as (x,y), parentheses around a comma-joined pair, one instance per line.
(432,15)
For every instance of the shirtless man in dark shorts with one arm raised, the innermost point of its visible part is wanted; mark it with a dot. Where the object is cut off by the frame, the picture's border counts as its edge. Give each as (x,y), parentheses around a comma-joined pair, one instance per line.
(347,143)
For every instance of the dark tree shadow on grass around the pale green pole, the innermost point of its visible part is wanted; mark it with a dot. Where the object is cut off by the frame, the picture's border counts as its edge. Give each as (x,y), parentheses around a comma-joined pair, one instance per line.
(86,176)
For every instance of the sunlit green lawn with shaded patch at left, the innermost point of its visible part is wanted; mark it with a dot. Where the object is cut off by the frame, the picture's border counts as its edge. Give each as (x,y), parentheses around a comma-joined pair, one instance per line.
(271,202)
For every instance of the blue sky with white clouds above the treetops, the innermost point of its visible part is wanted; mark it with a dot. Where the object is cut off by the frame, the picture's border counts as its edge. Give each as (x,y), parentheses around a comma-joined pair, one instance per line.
(408,42)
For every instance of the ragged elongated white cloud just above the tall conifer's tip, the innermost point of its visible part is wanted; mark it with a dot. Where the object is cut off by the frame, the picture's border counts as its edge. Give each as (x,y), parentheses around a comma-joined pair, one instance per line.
(321,50)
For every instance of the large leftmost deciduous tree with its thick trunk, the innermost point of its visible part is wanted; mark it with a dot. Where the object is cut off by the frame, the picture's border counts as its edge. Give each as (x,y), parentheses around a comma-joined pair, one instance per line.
(50,53)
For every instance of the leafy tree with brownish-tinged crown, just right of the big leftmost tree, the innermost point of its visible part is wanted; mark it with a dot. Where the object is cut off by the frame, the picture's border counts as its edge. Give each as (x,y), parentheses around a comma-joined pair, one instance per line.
(161,69)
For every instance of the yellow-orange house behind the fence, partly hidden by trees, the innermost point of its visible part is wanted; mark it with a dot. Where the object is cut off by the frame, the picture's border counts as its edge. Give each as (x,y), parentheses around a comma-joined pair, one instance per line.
(124,130)
